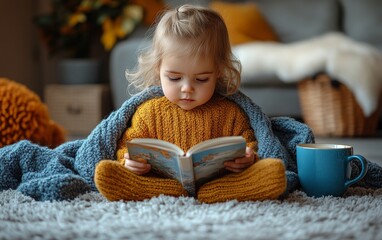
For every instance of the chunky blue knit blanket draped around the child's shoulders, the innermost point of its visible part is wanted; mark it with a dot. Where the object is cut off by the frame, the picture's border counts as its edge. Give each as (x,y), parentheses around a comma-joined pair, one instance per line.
(68,170)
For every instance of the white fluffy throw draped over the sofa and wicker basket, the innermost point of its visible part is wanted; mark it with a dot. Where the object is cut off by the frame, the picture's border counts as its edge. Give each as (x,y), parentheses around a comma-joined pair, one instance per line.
(355,64)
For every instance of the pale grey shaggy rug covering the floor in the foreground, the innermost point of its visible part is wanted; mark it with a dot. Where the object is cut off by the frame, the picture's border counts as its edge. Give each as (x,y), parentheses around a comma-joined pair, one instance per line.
(358,215)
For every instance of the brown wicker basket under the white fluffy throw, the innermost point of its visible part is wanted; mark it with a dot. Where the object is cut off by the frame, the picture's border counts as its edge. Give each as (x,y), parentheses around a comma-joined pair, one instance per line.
(330,109)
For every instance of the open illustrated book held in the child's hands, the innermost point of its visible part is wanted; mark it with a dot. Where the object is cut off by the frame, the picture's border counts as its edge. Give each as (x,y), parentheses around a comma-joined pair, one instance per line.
(202,163)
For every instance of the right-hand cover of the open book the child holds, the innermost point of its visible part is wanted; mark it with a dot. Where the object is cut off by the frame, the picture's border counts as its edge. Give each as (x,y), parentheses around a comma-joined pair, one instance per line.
(209,164)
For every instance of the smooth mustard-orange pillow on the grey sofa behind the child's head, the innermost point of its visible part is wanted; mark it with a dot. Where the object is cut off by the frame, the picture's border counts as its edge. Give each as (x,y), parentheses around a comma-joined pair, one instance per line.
(244,21)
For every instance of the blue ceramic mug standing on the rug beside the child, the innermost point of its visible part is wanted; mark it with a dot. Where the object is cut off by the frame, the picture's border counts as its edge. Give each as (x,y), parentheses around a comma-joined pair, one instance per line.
(324,169)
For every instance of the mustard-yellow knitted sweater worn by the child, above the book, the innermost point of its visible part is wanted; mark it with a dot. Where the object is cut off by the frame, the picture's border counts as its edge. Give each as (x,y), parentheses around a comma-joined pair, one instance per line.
(161,119)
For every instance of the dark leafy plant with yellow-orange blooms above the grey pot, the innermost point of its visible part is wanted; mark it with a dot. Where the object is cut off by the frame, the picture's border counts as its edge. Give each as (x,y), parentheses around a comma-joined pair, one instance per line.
(81,20)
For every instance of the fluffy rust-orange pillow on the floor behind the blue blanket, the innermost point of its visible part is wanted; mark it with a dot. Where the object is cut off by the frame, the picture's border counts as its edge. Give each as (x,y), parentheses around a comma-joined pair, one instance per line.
(23,116)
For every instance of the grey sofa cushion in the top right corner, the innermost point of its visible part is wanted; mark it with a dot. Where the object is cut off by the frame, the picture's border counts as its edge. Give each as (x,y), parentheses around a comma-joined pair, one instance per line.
(362,20)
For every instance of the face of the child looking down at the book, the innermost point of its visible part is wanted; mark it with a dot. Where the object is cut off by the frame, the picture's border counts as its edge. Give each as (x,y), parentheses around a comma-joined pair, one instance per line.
(188,81)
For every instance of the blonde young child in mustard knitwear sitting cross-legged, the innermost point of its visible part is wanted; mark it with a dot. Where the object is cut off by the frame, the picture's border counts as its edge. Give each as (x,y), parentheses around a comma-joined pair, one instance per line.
(191,59)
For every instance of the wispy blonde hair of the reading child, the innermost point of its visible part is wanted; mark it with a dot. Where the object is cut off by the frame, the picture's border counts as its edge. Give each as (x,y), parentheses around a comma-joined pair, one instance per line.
(194,30)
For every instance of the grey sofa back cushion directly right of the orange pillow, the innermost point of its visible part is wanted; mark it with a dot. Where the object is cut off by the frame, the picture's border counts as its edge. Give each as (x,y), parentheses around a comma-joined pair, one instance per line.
(295,20)
